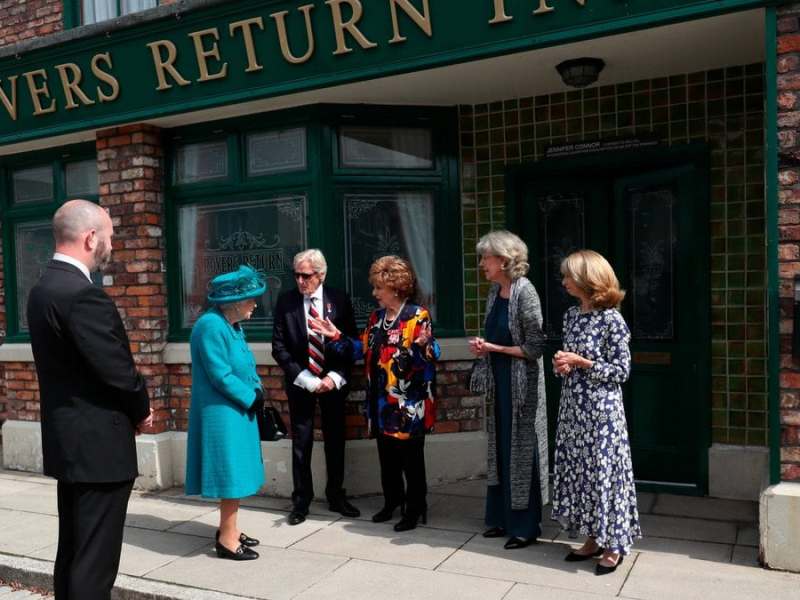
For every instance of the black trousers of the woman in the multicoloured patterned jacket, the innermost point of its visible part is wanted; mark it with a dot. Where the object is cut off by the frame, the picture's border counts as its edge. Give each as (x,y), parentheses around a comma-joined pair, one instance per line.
(399,459)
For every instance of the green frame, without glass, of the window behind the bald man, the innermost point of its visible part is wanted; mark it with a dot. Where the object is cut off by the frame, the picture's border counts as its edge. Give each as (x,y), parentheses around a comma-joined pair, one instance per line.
(11,215)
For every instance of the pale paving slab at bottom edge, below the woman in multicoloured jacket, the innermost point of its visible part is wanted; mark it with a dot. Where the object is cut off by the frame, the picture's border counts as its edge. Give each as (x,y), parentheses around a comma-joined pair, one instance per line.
(364,580)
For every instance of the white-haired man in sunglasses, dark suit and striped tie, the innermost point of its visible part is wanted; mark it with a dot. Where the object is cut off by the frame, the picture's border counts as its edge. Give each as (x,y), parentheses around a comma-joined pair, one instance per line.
(312,373)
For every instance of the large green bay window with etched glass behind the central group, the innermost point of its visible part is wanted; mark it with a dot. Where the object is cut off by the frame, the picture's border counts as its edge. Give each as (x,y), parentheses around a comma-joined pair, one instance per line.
(375,181)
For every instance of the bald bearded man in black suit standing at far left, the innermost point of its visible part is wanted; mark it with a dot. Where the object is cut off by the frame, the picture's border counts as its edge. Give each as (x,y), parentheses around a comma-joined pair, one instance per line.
(93,402)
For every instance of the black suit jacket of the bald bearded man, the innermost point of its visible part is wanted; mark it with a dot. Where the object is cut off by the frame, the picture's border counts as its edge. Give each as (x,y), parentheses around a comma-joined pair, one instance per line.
(92,397)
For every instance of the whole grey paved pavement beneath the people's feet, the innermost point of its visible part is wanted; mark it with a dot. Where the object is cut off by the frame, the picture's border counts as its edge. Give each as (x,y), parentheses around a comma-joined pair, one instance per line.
(694,549)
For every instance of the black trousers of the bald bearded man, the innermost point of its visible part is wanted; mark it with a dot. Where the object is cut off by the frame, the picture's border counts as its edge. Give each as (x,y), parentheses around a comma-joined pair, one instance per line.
(91,521)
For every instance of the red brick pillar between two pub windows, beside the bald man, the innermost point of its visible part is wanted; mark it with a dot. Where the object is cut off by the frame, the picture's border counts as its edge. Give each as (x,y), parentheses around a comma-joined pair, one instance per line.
(130,167)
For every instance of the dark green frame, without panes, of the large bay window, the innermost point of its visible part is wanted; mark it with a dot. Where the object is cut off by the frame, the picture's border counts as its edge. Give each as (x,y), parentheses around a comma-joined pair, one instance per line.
(324,185)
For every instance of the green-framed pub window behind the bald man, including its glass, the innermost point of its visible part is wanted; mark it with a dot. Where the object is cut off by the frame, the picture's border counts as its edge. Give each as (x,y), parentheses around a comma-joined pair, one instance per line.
(33,187)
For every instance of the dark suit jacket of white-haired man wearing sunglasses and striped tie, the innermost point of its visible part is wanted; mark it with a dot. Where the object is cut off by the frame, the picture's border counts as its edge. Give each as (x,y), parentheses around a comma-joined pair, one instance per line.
(290,332)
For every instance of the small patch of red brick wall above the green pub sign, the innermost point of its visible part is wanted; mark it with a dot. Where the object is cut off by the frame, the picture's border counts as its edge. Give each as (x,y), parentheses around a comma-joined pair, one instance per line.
(25,19)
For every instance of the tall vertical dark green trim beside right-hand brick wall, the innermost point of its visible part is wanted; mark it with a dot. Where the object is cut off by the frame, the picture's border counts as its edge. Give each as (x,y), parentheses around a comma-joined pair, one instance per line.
(773,274)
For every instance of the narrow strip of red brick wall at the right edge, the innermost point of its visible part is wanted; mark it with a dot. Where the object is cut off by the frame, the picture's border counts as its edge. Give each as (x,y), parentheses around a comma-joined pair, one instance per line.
(789,229)
